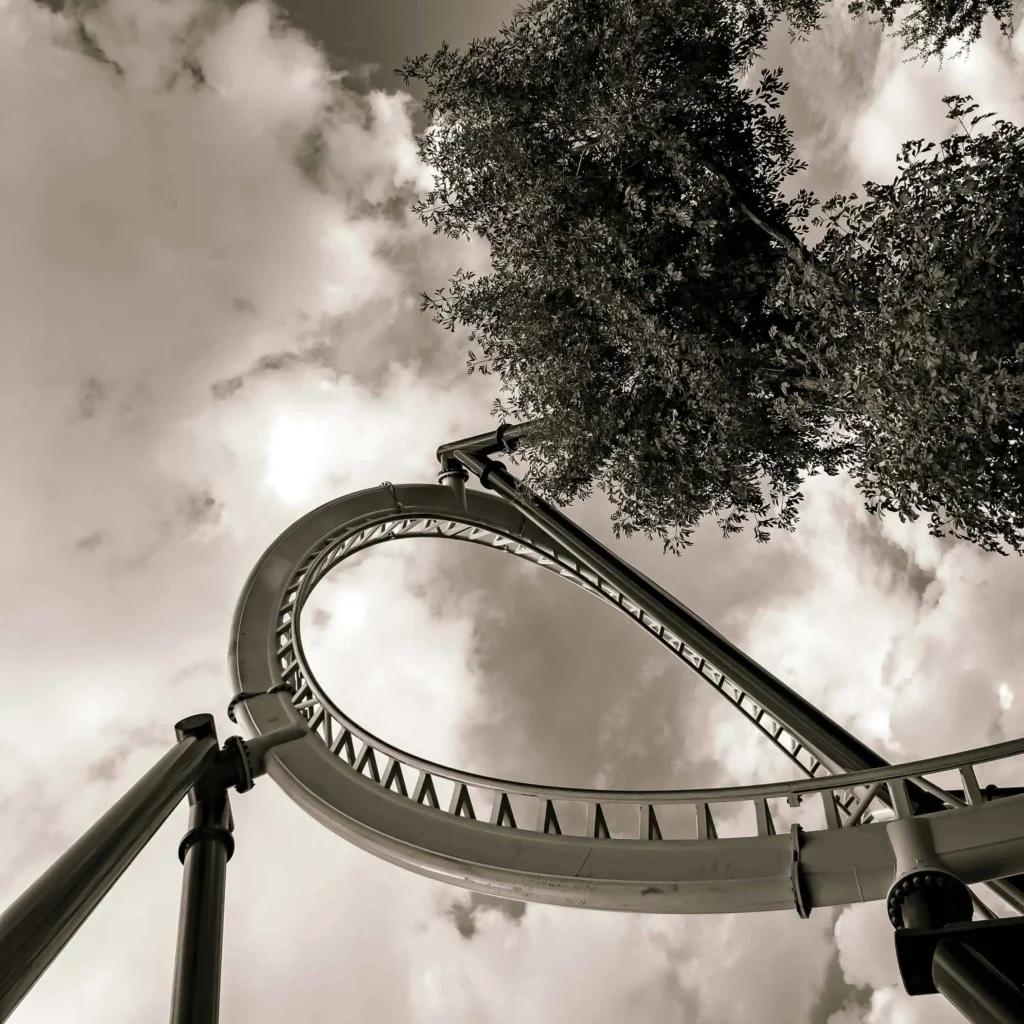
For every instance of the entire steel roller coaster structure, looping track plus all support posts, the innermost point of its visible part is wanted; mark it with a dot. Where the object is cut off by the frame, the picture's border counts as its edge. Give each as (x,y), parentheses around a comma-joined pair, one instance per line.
(871,831)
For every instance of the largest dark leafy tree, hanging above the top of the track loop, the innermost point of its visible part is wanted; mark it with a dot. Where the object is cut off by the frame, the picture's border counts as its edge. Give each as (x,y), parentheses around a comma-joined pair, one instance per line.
(630,192)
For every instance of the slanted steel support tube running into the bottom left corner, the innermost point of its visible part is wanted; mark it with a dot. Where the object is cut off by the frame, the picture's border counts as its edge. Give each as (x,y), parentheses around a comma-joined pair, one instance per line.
(41,922)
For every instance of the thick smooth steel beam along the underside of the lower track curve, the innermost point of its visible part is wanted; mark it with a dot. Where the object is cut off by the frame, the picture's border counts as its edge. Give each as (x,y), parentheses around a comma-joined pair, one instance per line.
(657,873)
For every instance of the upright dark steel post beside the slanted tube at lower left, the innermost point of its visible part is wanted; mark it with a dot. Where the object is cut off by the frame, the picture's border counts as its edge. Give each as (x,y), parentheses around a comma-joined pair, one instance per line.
(204,851)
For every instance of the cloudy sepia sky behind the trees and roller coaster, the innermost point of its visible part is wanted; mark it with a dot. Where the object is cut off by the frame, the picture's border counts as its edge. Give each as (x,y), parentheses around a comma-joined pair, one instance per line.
(206,334)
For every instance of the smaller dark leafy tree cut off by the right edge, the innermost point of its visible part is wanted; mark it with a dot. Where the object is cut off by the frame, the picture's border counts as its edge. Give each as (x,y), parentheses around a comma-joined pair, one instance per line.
(935,397)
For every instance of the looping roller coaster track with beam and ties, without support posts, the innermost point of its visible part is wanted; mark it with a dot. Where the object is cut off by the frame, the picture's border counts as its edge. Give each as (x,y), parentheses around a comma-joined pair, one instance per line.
(655,851)
